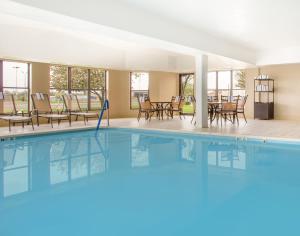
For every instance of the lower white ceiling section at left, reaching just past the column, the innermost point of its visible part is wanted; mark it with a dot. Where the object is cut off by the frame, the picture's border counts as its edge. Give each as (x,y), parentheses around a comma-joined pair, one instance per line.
(44,37)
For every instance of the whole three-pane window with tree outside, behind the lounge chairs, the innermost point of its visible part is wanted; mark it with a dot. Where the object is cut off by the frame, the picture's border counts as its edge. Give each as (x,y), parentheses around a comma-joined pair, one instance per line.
(88,84)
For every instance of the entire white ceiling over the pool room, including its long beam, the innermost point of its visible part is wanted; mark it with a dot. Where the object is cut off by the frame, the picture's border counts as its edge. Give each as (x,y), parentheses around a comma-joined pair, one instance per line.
(151,35)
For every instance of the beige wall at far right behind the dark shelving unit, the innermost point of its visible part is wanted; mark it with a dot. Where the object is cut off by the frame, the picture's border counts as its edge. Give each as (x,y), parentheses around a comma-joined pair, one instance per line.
(287,90)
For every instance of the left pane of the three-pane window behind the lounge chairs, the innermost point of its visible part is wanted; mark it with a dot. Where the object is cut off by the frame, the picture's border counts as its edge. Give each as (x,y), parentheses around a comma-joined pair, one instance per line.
(58,85)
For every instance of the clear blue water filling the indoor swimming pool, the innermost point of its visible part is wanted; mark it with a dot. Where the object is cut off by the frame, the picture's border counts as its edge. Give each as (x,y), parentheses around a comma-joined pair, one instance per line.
(128,182)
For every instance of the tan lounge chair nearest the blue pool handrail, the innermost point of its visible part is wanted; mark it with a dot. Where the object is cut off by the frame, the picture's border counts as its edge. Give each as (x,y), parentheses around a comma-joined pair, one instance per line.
(73,107)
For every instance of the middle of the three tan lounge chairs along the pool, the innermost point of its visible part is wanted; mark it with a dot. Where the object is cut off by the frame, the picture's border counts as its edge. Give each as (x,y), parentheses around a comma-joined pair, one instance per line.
(42,109)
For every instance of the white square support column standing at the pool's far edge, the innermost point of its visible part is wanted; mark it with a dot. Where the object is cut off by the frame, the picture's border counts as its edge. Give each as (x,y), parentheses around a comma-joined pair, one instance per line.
(201,91)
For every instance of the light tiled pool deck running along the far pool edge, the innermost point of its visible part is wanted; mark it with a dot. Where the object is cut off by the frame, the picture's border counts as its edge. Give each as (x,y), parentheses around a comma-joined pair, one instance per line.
(272,129)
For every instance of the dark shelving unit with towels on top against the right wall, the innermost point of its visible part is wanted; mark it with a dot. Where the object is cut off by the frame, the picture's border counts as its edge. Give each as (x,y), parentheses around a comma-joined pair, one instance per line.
(264,99)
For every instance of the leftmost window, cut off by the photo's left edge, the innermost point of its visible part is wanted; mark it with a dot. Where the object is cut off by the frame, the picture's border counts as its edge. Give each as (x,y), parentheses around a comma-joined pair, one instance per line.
(15,82)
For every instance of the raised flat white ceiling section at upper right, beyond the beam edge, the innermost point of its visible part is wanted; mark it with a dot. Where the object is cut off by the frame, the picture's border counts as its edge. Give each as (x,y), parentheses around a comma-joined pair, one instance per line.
(256,24)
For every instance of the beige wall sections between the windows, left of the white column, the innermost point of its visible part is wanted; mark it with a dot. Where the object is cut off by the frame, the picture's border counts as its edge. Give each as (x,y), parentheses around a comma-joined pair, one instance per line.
(162,86)
